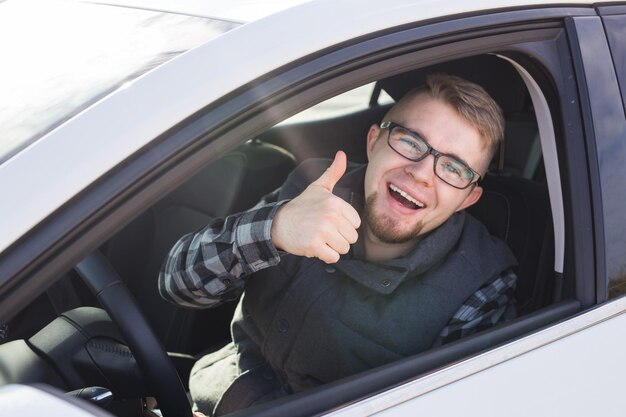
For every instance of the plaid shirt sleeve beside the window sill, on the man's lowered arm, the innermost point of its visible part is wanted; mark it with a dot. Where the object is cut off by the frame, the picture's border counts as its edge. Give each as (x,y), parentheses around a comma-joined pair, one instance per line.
(493,303)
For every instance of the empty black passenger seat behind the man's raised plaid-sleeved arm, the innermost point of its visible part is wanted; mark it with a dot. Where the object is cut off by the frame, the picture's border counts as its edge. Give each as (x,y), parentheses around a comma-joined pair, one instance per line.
(231,184)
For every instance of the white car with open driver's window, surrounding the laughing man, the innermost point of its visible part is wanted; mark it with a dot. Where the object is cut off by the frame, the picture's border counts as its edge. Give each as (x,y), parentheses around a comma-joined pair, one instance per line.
(126,124)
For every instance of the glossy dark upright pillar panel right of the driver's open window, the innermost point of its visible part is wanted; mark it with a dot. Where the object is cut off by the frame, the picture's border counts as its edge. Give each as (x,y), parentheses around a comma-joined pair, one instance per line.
(604,128)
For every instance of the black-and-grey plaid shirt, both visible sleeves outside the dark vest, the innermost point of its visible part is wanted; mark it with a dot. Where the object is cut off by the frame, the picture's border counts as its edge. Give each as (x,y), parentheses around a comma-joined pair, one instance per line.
(207,268)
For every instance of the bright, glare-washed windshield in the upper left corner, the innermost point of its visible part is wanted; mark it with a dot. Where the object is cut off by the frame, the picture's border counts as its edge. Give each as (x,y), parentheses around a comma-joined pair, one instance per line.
(60,57)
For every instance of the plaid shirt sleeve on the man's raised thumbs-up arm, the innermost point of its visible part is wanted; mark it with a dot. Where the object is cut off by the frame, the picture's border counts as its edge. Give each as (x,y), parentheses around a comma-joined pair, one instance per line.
(206,268)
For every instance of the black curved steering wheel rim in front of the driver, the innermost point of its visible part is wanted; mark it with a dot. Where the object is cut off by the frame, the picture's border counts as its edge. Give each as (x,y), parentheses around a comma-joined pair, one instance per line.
(157,368)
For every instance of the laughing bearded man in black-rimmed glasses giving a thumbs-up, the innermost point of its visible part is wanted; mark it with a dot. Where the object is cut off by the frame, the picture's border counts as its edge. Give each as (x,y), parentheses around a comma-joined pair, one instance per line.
(354,266)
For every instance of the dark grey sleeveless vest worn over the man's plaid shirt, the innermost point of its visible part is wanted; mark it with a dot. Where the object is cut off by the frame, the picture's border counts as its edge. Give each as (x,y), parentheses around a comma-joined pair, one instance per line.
(303,323)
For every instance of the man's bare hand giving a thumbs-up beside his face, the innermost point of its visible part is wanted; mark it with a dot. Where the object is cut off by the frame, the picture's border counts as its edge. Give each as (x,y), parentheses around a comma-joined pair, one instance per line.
(318,223)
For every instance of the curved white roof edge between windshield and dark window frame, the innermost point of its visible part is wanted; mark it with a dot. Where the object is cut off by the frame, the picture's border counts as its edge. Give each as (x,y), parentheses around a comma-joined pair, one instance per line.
(104,135)
